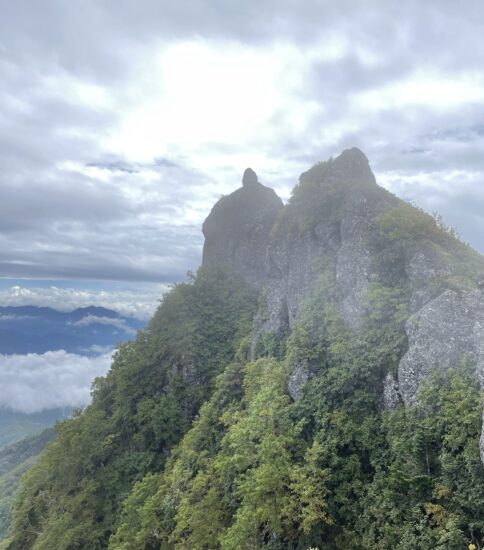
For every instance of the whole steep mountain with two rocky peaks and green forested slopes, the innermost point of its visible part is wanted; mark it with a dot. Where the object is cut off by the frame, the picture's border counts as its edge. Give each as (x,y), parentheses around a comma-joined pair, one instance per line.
(315,384)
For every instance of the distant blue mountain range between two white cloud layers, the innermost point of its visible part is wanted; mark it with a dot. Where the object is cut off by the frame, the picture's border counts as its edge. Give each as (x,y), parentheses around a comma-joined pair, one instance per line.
(85,331)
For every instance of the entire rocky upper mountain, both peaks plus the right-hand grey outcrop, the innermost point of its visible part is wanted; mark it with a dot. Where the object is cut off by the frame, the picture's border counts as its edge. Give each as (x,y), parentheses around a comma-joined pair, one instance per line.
(339,216)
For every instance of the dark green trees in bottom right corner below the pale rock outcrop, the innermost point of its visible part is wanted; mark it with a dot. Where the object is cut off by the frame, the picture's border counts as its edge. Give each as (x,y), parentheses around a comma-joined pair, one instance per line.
(428,490)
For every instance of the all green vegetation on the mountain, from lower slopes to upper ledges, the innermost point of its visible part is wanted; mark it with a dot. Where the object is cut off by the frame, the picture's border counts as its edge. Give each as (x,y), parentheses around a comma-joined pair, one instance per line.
(190,443)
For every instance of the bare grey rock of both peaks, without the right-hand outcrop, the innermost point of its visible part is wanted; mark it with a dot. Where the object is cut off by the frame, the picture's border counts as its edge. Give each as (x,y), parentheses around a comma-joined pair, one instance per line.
(287,264)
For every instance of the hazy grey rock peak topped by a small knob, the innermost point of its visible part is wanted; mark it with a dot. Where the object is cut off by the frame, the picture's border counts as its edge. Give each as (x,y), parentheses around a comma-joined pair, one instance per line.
(237,231)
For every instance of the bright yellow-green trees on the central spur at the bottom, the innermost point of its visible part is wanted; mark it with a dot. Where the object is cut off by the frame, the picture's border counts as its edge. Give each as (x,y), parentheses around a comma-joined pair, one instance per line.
(242,474)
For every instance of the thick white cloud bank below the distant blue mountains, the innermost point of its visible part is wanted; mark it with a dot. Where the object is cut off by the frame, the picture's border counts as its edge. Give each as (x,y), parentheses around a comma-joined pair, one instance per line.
(32,383)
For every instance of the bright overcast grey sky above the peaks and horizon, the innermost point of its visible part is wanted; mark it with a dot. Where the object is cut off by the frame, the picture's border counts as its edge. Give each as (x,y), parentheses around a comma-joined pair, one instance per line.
(122,122)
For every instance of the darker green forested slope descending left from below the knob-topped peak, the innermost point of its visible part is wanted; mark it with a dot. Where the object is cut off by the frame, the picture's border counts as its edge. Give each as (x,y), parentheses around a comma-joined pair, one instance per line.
(157,383)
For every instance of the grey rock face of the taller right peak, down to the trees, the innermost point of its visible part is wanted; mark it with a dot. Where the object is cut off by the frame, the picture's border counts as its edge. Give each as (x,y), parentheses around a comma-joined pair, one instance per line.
(294,259)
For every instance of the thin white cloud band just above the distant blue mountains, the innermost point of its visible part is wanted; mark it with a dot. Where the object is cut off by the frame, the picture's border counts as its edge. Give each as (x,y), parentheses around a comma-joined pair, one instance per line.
(139,302)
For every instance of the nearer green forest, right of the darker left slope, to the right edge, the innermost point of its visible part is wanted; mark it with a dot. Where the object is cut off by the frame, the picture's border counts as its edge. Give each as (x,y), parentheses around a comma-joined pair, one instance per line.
(330,471)
